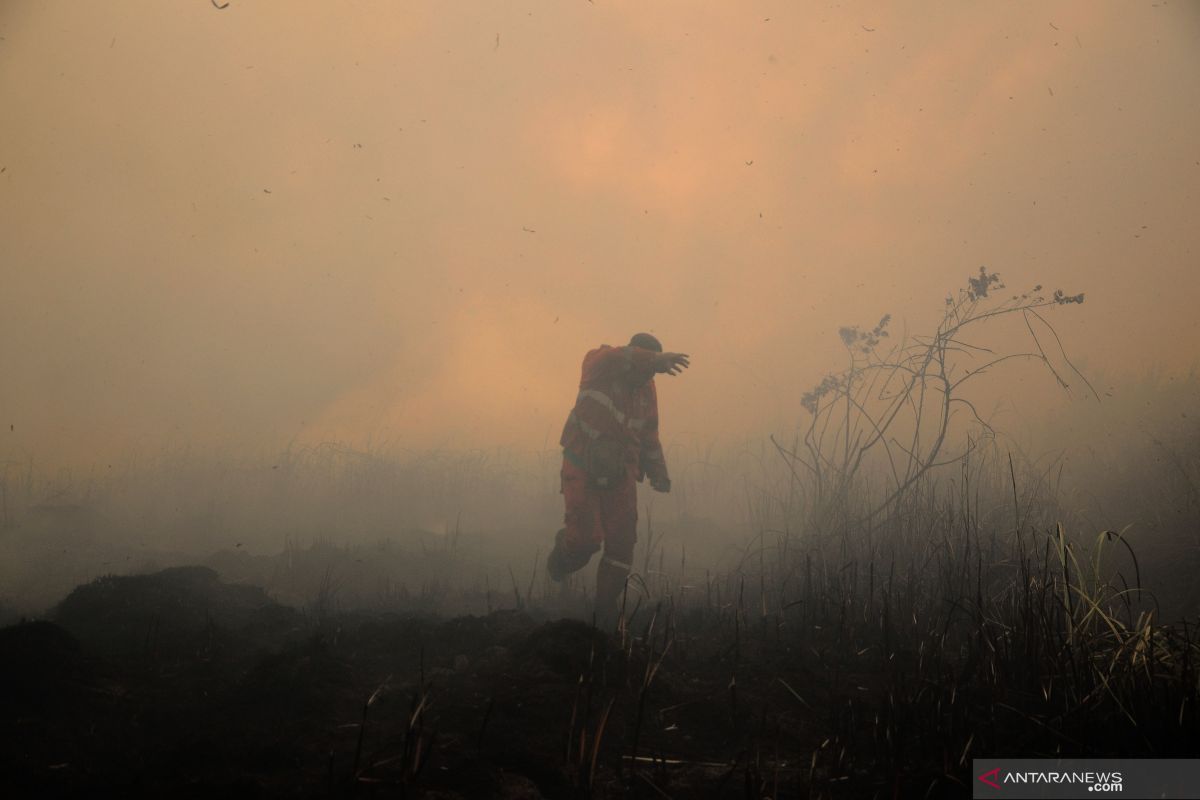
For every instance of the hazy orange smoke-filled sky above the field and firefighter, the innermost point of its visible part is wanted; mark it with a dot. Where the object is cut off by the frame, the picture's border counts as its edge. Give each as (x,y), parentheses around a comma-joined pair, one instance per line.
(407,222)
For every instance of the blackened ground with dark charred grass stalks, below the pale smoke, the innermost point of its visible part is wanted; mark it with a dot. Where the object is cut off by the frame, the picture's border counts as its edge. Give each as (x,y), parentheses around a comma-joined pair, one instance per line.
(868,666)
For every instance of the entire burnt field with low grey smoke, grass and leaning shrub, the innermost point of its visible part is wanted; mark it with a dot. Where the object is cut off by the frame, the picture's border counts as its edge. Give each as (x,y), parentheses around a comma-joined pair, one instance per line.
(856,612)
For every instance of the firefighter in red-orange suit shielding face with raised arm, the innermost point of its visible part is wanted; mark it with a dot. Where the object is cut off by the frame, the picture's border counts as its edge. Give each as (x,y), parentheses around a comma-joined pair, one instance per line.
(611,443)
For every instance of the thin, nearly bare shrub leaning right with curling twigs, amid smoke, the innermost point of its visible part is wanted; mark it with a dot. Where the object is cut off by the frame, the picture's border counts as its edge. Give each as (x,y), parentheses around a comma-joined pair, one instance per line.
(910,390)
